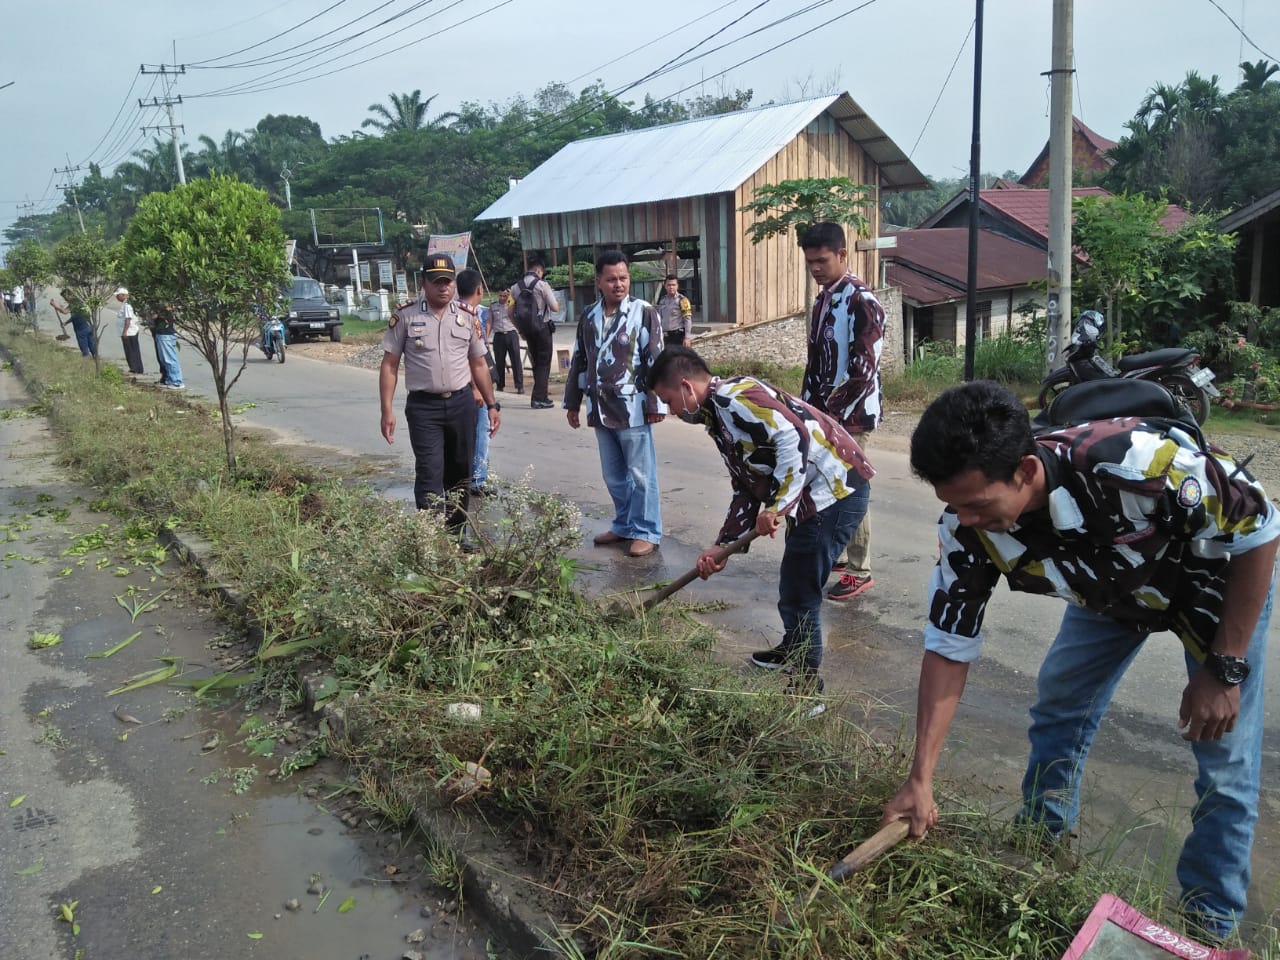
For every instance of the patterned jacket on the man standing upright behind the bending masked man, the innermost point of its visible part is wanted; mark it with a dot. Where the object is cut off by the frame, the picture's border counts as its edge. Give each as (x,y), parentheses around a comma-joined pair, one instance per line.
(842,376)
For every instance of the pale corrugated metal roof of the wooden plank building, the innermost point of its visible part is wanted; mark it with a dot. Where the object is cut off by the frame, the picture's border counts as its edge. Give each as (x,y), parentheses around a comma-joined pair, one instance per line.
(689,159)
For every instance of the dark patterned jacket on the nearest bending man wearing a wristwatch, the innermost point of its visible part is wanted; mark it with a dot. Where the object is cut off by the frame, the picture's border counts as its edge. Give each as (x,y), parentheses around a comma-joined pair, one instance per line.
(1140,527)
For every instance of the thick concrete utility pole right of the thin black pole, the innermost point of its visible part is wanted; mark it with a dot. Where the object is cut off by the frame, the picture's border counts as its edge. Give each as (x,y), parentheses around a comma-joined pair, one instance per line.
(1060,188)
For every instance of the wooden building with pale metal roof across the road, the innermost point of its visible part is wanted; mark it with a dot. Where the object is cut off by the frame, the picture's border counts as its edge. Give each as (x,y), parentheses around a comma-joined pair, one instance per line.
(674,193)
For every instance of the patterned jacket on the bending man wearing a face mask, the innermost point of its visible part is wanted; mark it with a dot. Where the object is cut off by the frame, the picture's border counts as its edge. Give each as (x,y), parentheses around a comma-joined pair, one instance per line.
(781,454)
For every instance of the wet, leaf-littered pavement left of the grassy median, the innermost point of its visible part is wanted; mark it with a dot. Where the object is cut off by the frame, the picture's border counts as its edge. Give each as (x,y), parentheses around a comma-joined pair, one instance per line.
(124,810)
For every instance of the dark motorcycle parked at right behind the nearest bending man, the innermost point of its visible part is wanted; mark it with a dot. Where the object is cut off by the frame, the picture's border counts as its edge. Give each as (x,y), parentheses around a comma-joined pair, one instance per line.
(1177,369)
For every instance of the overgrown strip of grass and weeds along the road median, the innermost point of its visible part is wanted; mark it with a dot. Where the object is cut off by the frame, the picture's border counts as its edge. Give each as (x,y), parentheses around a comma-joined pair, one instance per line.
(670,806)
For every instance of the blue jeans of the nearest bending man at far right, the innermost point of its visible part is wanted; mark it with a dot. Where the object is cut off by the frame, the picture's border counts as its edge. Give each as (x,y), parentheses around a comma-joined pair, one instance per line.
(1077,682)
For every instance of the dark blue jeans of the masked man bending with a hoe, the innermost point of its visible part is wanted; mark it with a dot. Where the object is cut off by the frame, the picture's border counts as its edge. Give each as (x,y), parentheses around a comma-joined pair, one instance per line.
(811,551)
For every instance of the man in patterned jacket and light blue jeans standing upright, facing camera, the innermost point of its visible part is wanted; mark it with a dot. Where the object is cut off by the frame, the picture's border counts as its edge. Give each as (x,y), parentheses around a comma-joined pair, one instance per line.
(618,341)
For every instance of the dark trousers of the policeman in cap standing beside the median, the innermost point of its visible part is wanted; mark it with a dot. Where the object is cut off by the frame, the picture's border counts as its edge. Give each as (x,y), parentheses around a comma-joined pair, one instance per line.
(442,431)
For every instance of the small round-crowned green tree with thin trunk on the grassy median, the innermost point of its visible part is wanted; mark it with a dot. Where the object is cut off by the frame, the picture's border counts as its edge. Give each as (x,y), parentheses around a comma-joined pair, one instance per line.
(213,252)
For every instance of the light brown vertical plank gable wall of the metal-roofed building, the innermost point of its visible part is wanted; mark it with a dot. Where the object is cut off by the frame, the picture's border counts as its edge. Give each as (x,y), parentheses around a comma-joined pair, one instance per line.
(772,278)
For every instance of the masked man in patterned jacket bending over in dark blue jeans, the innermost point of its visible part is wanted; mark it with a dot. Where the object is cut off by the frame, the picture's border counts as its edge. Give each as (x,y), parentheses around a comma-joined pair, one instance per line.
(787,461)
